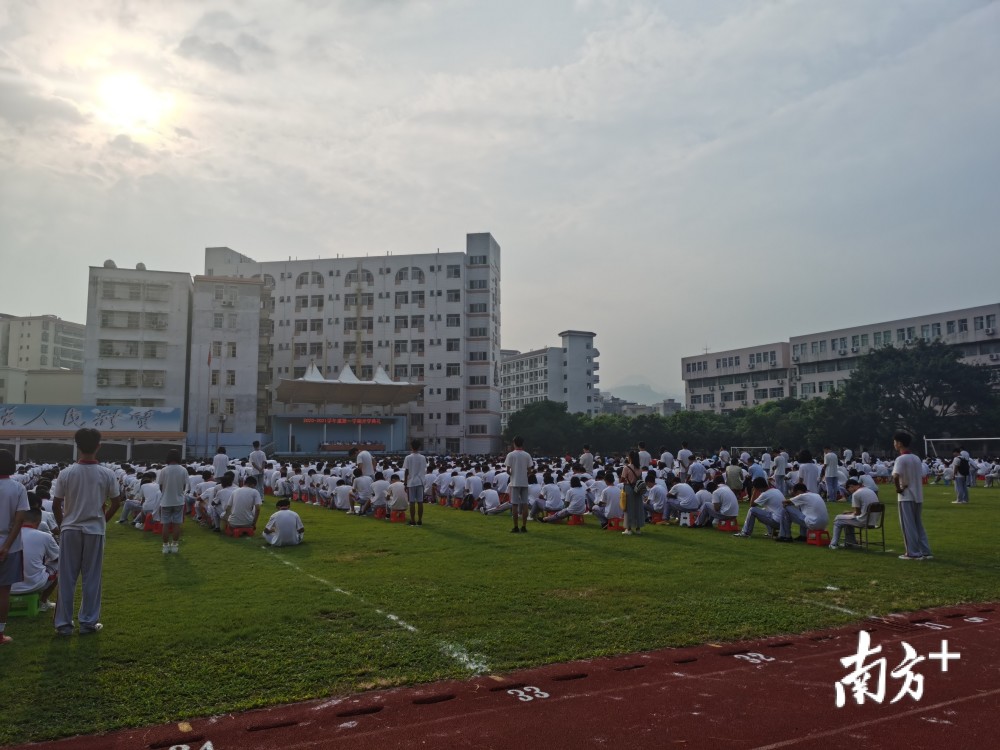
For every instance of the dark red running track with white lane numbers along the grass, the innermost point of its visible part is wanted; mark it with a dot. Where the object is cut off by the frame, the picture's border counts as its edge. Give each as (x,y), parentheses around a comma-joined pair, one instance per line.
(766,694)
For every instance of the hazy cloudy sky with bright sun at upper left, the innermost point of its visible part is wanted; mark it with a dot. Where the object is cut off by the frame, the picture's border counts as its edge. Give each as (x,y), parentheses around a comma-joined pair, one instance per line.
(673,175)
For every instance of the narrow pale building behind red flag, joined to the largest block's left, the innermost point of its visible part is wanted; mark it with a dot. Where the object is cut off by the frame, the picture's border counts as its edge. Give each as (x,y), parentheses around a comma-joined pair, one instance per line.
(230,365)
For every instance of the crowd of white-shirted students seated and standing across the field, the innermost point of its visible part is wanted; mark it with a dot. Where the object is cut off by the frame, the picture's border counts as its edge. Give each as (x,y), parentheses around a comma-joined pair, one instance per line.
(627,492)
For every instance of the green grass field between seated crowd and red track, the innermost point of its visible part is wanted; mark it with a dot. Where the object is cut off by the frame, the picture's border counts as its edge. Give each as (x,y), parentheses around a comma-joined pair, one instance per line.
(227,625)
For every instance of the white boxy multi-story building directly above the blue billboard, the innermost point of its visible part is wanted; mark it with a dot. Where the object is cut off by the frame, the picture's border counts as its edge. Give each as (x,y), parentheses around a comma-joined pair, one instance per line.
(138,326)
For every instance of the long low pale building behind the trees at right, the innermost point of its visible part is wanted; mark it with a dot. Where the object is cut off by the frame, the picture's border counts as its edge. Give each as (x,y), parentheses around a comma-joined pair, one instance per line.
(816,364)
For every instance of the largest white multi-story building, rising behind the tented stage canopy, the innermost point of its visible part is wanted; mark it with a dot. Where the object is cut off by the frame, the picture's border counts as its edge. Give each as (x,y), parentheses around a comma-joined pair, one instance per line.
(432,318)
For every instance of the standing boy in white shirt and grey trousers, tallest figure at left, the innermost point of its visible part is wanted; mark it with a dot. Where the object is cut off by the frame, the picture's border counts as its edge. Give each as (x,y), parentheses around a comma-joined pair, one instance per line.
(87,498)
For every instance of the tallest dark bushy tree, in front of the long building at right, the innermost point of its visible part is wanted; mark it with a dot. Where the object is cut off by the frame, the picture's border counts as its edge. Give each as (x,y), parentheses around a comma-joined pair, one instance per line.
(925,389)
